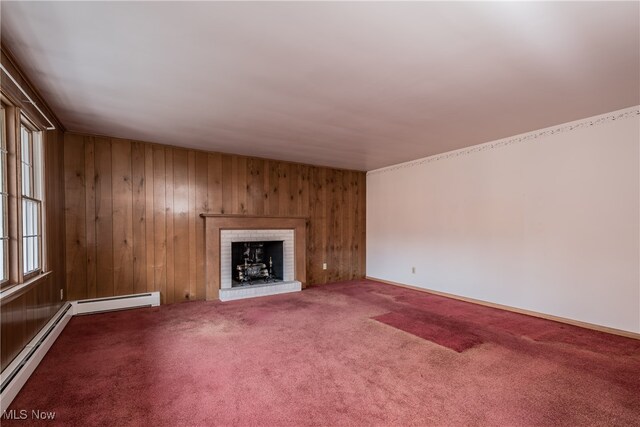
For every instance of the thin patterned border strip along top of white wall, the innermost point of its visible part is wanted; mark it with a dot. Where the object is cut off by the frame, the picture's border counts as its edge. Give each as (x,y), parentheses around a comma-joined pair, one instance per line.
(625,113)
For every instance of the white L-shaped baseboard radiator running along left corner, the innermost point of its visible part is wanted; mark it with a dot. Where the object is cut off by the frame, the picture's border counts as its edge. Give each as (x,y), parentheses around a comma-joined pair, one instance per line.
(14,376)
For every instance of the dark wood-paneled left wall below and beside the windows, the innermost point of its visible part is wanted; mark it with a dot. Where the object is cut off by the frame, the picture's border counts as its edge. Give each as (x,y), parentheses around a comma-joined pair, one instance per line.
(23,314)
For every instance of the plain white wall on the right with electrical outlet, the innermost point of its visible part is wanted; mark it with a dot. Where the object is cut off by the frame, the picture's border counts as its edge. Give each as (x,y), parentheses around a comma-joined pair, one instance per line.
(546,221)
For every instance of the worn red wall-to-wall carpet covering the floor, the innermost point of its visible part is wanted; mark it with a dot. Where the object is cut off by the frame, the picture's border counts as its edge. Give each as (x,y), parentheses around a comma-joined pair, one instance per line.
(318,357)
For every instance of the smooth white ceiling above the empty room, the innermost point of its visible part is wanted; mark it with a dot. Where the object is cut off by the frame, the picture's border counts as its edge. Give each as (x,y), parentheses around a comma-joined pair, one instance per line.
(353,85)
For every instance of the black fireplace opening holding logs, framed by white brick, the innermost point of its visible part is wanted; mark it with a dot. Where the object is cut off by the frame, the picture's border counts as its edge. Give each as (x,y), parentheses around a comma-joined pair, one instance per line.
(255,263)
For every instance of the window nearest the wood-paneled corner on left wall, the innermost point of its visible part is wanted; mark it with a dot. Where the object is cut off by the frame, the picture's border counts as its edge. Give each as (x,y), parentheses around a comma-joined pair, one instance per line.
(31,167)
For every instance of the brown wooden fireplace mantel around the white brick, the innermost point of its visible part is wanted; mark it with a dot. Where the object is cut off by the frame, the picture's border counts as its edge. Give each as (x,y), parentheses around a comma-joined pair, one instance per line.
(216,222)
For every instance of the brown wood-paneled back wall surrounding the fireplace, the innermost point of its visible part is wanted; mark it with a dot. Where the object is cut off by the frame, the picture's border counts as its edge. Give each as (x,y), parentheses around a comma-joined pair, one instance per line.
(132,214)
